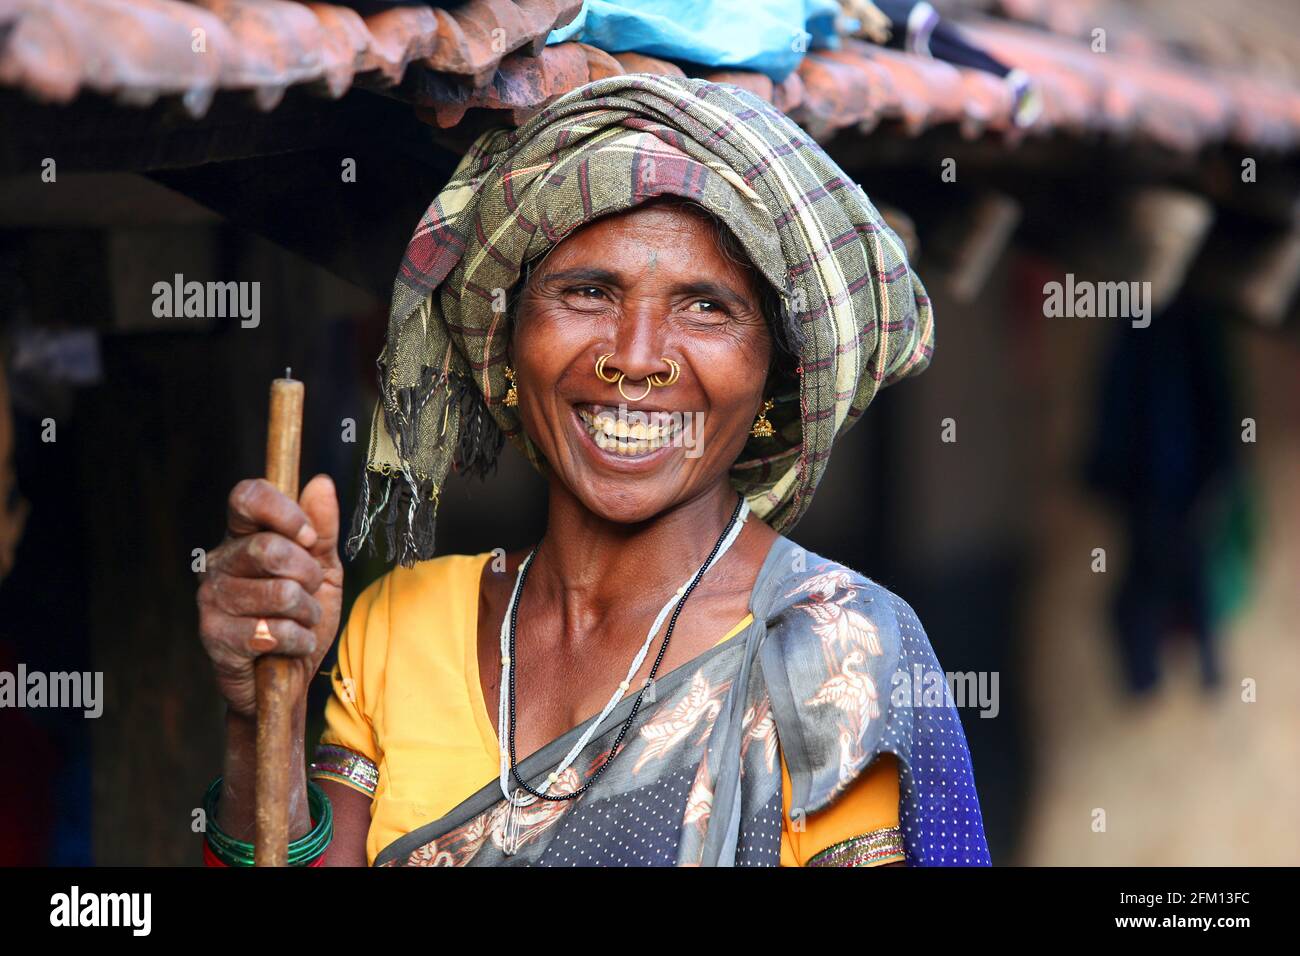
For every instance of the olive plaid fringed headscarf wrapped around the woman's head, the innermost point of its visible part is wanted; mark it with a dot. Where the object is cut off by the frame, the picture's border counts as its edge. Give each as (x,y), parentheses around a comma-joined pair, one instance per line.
(609,146)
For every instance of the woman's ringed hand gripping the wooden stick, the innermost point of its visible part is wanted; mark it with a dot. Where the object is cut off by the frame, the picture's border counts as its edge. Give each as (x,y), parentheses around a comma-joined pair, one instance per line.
(280,564)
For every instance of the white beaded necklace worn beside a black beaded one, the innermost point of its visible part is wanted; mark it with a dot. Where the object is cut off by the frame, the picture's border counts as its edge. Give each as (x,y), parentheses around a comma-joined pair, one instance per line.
(522,798)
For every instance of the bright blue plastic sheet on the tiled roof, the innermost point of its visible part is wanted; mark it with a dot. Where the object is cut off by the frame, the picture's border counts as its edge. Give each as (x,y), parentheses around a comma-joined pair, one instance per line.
(765,36)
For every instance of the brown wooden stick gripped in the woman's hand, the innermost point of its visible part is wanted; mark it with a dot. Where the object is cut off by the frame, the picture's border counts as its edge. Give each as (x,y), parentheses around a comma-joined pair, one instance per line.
(275,673)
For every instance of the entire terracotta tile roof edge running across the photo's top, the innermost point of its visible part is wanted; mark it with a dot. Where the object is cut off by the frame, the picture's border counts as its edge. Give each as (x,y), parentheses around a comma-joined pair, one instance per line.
(1173,80)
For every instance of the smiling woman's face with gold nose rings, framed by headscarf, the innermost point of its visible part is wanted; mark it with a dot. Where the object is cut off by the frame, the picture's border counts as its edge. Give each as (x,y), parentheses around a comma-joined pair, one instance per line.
(647,285)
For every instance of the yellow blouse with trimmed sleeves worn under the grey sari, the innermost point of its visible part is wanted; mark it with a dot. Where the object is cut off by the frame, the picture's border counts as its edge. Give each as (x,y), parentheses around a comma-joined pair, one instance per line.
(408,698)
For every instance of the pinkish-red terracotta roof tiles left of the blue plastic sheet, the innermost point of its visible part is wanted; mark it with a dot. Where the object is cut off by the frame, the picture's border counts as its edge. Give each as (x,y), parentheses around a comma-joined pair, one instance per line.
(141,50)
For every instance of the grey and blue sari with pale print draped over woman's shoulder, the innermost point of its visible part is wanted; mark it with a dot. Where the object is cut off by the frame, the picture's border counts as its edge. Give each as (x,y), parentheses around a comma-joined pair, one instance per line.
(822,677)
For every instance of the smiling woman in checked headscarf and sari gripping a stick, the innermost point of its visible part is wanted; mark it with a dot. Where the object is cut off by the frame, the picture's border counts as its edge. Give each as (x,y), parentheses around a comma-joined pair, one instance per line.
(674,302)
